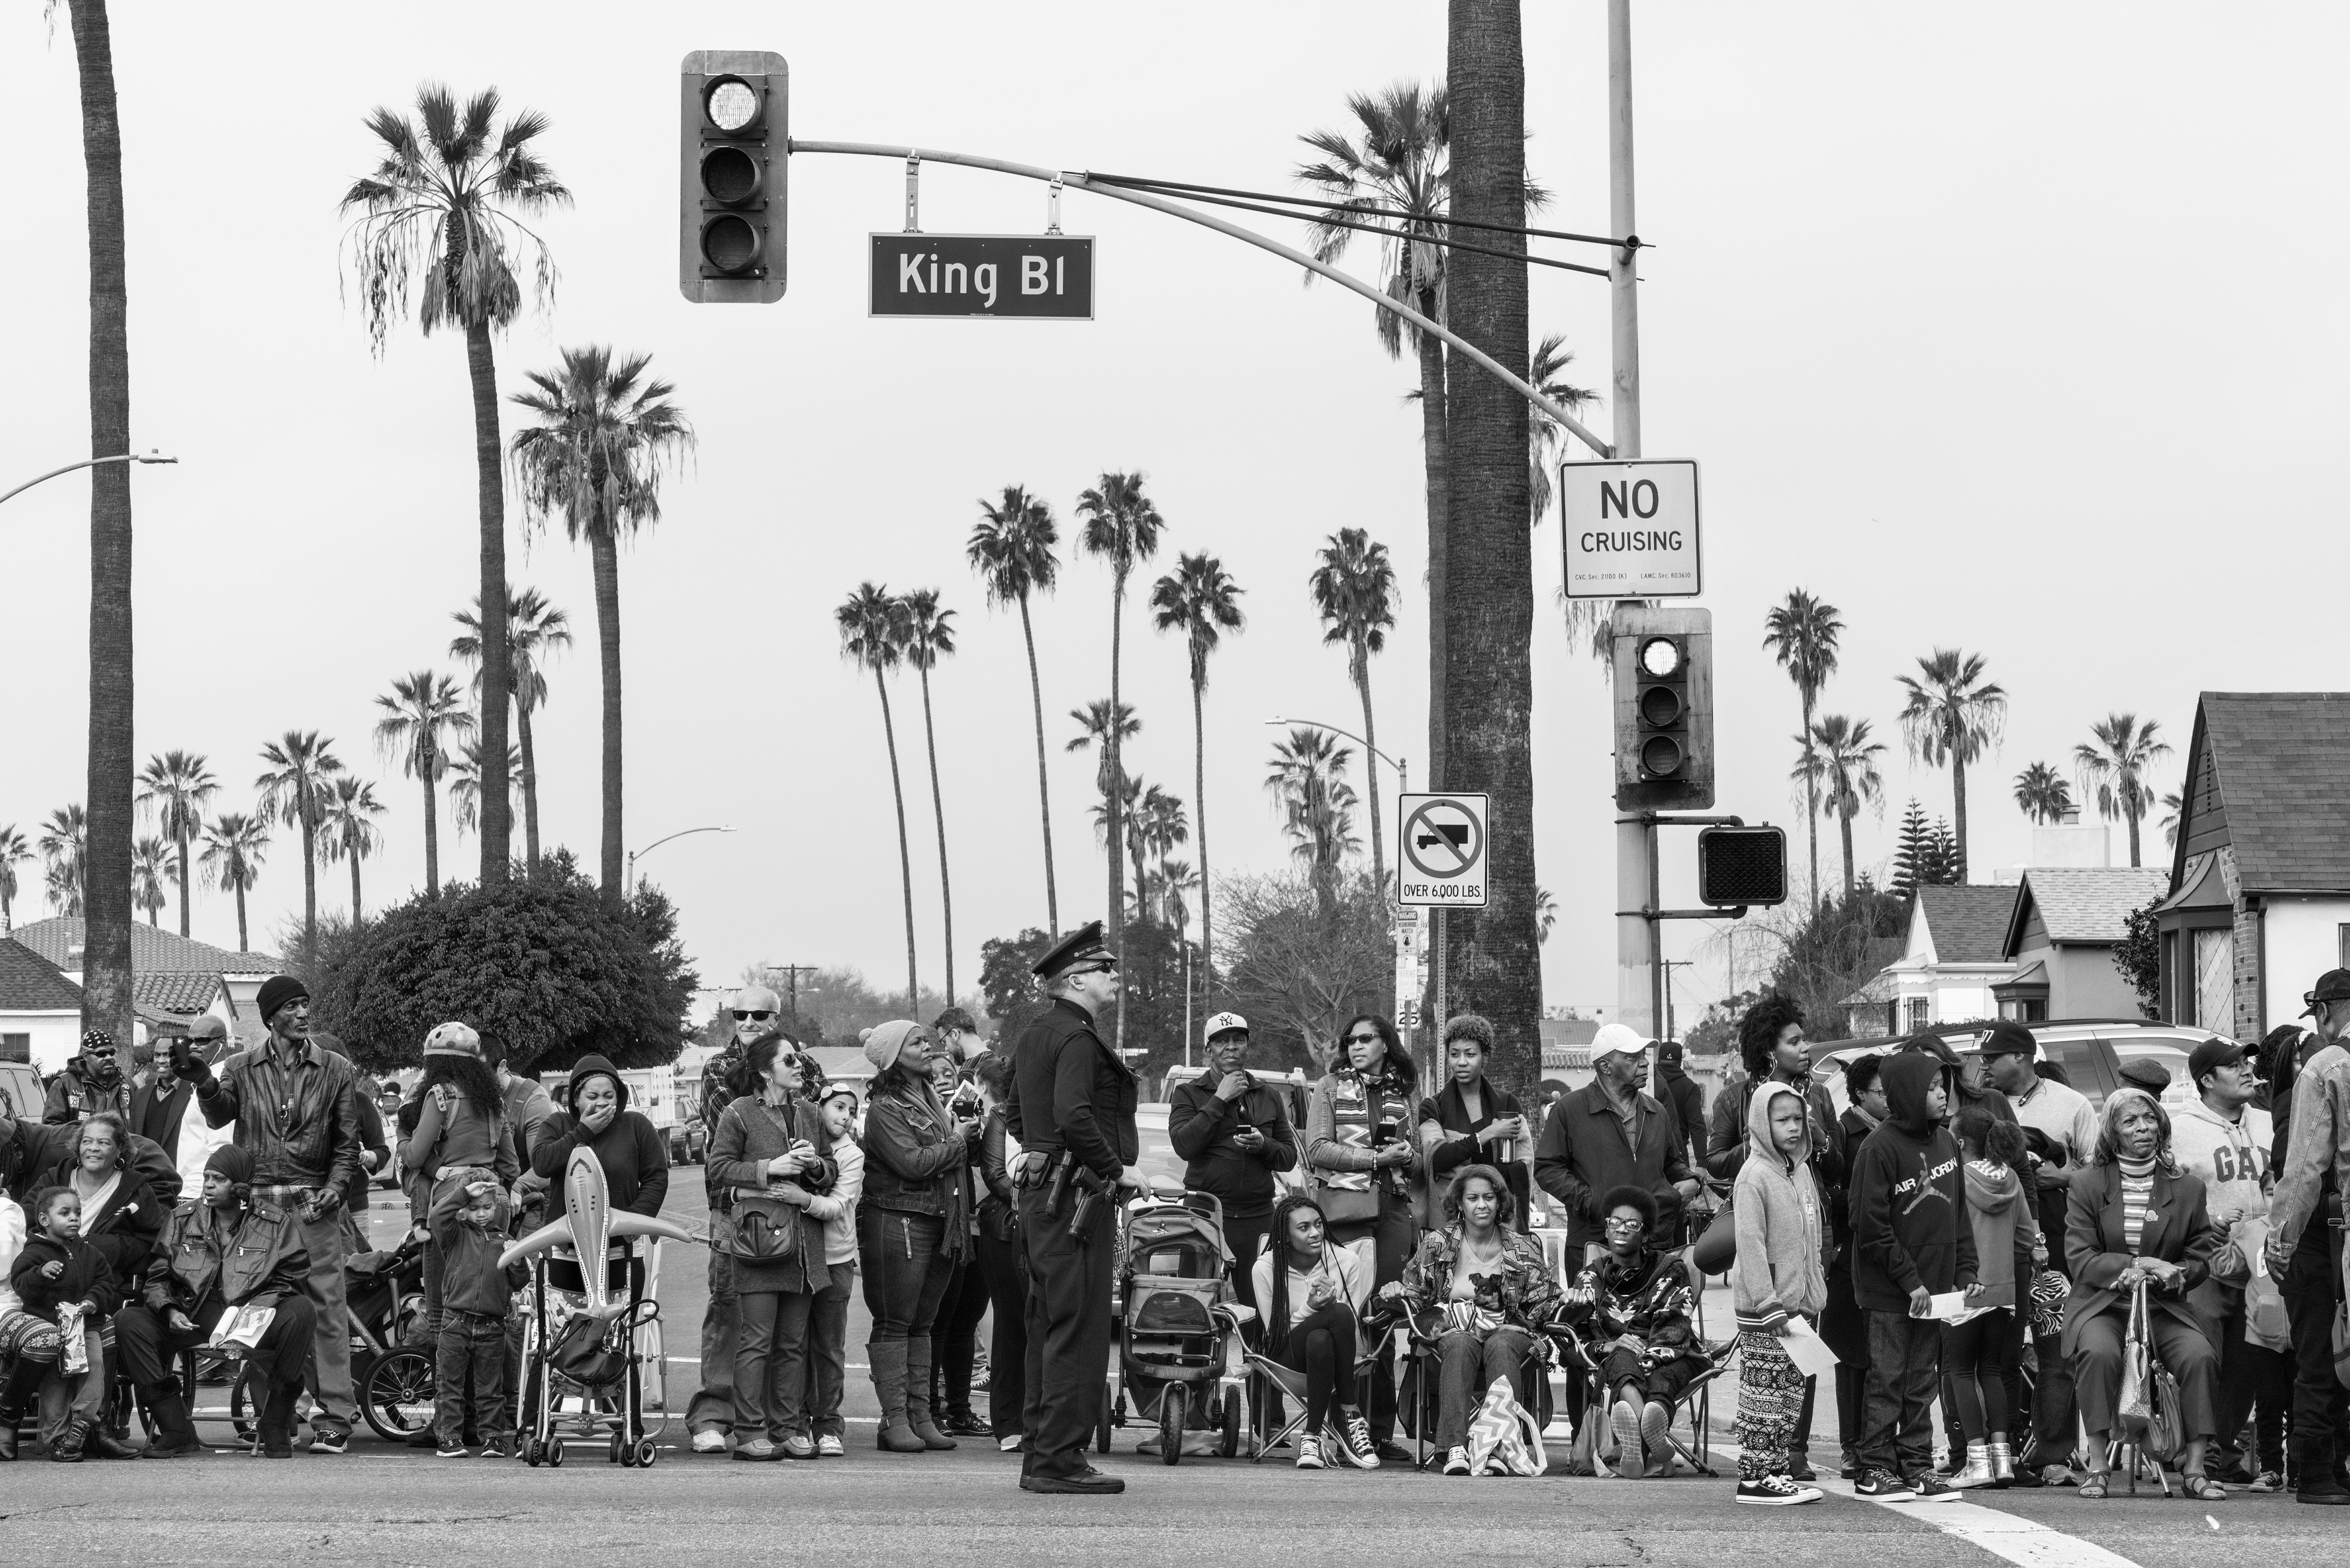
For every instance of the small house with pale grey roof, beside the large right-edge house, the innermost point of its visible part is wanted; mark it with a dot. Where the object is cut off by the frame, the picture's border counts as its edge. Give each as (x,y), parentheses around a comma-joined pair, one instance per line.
(2062,934)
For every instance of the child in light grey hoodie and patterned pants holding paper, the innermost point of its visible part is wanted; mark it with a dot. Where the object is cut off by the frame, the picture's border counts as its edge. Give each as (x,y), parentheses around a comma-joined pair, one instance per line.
(1778,1285)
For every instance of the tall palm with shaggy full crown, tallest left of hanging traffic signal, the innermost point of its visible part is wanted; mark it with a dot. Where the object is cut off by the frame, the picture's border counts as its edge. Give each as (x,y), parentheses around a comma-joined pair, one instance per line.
(443,220)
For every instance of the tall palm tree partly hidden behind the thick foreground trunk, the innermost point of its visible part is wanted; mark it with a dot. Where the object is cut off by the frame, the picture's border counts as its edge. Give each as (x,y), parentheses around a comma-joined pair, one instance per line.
(1397,163)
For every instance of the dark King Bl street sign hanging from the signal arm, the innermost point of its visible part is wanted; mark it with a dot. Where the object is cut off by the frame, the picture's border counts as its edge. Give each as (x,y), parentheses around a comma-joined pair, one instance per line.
(983,276)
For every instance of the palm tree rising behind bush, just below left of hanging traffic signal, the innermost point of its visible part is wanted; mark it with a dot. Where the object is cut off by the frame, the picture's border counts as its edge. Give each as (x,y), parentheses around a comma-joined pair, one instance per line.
(596,460)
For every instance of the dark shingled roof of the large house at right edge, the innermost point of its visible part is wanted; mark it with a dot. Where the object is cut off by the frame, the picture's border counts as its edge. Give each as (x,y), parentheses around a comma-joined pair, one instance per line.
(2283,772)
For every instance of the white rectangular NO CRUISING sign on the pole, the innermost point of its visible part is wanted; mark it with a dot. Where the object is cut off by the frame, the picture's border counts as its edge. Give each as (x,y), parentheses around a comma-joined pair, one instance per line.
(1630,530)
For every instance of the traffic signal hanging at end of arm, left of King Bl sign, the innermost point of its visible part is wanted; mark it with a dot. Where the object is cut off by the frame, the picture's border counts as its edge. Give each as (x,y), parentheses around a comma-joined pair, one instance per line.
(734,154)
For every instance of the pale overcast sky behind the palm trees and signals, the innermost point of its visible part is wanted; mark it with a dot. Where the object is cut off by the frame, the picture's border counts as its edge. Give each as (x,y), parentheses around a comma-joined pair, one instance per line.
(1999,326)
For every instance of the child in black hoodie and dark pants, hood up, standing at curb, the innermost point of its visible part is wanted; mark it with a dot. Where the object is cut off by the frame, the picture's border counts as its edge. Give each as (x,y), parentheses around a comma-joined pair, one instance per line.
(1909,1245)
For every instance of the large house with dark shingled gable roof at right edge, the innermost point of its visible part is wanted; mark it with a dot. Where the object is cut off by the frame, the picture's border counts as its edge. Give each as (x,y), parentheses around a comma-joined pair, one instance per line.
(2260,885)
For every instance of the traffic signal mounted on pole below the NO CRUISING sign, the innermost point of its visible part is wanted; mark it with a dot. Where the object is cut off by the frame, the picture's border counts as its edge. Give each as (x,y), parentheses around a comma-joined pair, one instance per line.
(1663,709)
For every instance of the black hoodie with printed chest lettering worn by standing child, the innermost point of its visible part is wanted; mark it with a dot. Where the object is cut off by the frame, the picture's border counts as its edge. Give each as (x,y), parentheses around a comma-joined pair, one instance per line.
(1909,1202)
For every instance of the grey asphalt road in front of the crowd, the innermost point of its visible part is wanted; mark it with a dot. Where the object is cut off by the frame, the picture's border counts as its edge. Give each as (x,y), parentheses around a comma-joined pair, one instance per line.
(382,1506)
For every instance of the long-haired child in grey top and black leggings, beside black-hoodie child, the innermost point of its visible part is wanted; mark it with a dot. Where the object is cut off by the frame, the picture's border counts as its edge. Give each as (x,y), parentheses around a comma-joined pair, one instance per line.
(1982,1353)
